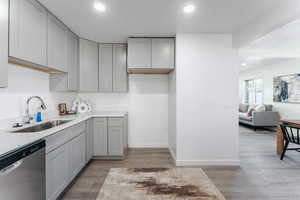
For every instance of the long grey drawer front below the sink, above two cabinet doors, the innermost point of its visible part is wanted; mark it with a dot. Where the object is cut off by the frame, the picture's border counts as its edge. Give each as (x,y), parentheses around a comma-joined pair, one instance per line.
(56,140)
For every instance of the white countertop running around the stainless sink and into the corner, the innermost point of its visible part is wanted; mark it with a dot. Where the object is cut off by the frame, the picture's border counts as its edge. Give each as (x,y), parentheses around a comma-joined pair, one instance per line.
(11,141)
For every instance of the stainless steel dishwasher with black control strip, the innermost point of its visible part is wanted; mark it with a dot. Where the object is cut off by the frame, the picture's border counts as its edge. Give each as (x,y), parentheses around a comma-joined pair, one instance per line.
(22,173)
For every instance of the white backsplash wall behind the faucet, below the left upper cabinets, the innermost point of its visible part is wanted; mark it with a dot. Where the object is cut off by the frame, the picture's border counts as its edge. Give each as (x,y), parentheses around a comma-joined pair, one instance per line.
(23,83)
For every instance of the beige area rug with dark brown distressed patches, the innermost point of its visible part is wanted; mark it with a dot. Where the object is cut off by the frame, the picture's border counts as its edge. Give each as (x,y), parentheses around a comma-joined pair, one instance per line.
(158,184)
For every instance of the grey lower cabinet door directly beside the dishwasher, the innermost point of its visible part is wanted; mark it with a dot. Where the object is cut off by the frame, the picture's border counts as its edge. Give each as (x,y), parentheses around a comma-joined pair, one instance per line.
(56,172)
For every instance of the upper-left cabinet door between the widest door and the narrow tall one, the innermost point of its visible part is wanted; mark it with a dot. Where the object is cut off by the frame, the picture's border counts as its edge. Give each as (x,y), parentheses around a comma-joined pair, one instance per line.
(57,44)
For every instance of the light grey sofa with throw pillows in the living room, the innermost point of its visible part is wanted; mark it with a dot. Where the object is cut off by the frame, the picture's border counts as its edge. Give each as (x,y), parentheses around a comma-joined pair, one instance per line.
(265,118)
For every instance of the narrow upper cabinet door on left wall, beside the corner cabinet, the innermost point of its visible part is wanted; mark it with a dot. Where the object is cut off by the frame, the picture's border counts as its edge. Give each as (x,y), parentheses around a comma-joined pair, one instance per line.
(72,61)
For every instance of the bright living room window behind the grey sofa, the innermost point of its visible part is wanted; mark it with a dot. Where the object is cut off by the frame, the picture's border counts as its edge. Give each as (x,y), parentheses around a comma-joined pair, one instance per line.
(253,92)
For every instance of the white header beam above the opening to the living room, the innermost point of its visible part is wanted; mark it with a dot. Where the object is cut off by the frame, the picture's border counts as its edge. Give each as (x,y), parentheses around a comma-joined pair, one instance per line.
(283,12)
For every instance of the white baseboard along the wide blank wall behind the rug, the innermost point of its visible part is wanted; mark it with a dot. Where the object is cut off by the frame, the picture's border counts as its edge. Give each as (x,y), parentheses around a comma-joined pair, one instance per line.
(208,163)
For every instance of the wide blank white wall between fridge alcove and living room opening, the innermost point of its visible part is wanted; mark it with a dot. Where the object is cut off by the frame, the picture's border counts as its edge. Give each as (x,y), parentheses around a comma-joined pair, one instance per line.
(207,99)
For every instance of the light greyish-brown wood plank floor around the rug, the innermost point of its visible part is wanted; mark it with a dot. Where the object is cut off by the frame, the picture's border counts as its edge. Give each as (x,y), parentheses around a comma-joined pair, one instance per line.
(262,176)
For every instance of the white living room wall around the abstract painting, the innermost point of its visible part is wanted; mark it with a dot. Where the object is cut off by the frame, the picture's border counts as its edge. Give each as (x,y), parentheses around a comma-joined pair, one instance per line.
(267,72)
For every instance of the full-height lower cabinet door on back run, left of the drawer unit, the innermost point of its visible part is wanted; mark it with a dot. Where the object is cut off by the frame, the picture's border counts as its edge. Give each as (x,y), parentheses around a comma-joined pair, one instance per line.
(100,136)
